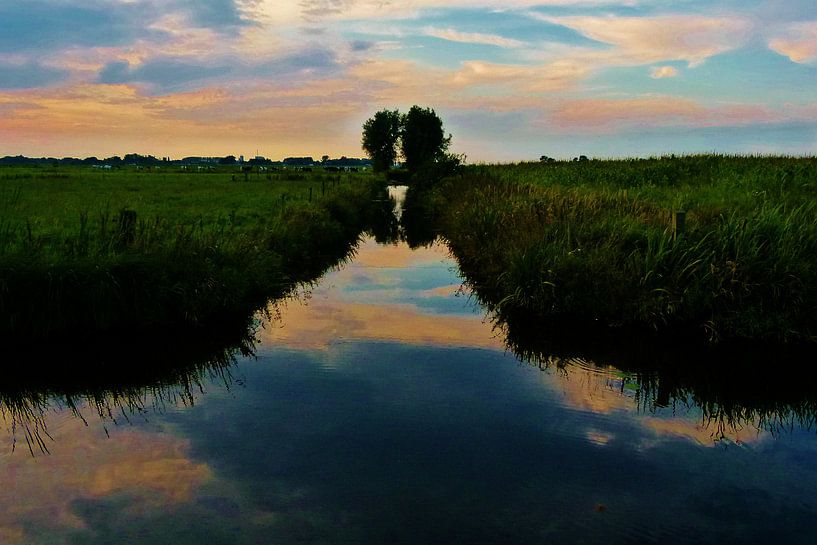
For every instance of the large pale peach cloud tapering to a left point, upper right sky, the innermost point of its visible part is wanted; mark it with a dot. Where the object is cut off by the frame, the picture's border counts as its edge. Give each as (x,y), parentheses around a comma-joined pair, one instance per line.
(691,38)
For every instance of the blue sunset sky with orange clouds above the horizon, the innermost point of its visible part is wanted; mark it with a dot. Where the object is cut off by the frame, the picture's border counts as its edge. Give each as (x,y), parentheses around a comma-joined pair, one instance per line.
(511,79)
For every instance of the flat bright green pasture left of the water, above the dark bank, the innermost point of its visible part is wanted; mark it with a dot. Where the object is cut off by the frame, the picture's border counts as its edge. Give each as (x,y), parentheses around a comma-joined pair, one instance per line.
(50,208)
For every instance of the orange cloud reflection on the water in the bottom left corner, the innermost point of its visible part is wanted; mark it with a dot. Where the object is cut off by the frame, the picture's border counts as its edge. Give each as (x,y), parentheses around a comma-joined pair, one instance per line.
(154,469)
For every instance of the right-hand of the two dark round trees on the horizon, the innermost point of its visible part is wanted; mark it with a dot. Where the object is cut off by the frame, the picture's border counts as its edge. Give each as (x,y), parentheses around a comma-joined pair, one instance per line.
(423,138)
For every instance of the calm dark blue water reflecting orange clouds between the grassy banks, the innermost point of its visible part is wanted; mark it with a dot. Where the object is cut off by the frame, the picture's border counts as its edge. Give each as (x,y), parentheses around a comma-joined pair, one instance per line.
(381,408)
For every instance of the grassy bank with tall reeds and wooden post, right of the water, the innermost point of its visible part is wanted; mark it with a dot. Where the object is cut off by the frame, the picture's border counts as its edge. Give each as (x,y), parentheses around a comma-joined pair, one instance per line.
(592,242)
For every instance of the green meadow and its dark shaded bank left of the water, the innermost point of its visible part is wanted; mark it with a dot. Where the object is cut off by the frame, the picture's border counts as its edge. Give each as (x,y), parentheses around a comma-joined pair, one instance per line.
(200,247)
